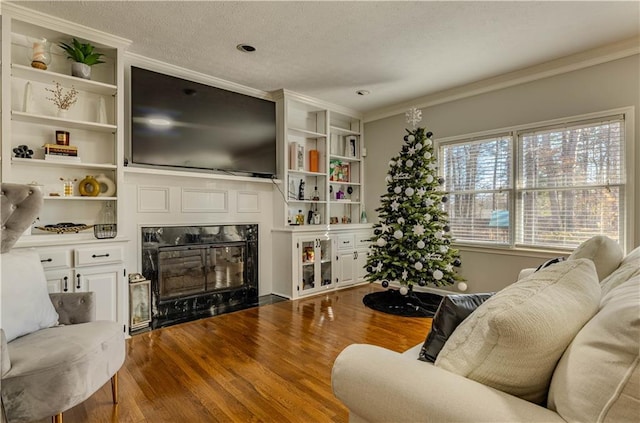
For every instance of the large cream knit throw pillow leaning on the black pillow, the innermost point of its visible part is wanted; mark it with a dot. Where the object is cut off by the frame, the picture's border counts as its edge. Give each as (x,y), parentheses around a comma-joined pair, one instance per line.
(513,341)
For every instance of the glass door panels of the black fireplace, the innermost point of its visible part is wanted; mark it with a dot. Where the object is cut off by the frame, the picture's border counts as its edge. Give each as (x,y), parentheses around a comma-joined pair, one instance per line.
(193,270)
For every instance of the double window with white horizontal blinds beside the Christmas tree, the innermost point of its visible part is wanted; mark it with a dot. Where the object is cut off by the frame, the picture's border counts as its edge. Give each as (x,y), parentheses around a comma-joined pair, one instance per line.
(569,184)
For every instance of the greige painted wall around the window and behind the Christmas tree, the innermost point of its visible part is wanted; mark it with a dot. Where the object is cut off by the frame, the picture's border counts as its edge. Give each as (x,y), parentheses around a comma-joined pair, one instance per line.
(598,88)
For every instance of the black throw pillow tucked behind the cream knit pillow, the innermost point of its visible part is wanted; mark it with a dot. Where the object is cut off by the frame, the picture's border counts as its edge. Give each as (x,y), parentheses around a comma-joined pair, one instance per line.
(452,311)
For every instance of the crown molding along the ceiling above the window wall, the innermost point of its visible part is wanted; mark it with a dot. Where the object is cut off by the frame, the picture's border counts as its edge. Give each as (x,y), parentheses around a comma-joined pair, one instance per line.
(566,64)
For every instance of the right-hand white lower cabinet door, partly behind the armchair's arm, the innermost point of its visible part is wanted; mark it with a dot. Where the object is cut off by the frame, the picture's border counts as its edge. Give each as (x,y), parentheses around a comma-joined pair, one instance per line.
(103,281)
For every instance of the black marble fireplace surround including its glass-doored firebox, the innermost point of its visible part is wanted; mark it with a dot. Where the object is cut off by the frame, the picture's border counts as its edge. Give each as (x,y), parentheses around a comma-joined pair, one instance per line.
(199,271)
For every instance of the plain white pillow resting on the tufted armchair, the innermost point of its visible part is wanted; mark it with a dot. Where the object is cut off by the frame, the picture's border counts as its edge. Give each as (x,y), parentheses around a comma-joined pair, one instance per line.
(24,299)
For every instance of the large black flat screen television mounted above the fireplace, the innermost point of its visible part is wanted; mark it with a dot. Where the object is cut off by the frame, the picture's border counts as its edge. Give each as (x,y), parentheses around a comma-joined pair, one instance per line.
(183,124)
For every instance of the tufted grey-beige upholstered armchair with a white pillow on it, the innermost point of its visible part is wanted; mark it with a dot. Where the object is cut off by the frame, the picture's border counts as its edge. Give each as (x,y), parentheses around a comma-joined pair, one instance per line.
(54,355)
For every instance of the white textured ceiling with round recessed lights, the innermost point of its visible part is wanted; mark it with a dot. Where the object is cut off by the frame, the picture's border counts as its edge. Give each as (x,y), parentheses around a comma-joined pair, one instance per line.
(397,50)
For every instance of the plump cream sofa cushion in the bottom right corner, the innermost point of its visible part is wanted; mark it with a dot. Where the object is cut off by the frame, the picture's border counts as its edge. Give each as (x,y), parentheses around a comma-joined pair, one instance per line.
(598,377)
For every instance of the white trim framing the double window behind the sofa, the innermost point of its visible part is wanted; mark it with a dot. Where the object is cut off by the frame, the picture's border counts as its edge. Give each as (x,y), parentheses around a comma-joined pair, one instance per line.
(629,157)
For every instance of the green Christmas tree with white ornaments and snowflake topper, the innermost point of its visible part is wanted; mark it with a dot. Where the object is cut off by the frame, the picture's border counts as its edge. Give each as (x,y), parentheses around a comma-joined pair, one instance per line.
(412,240)
